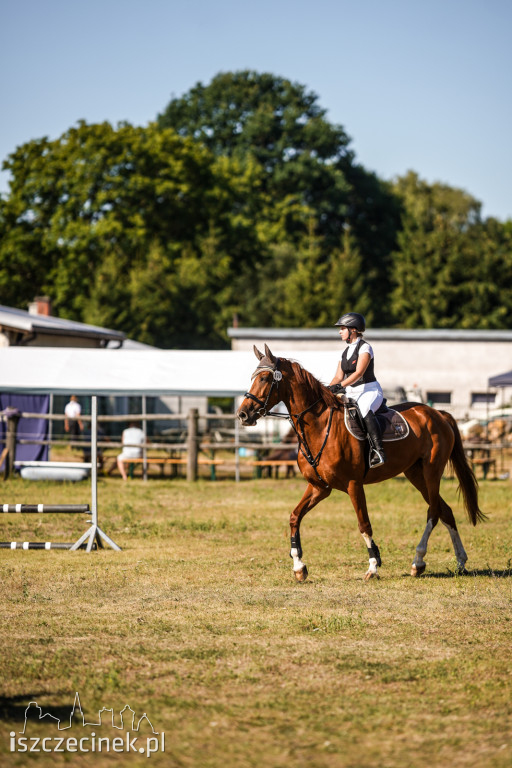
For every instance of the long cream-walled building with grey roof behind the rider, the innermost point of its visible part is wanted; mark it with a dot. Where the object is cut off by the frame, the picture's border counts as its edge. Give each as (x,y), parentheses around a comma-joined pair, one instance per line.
(448,368)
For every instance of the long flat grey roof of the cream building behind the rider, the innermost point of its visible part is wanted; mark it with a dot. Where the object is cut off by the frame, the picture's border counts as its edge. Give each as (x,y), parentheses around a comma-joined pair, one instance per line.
(378,334)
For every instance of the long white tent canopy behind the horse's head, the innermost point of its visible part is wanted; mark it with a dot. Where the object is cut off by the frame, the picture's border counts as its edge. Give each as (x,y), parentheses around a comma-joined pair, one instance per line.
(64,370)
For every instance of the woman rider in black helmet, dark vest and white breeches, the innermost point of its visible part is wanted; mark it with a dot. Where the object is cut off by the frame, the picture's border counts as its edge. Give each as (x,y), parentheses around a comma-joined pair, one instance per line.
(355,374)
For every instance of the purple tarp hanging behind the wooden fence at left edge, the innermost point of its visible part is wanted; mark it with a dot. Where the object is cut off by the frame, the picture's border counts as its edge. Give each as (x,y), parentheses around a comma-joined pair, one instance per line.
(28,429)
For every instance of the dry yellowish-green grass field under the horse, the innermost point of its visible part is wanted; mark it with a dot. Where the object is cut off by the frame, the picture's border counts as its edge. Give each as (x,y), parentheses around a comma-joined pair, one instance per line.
(198,622)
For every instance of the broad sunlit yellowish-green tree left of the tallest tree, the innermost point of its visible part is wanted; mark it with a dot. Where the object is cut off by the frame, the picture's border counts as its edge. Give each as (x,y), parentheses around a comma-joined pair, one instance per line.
(99,192)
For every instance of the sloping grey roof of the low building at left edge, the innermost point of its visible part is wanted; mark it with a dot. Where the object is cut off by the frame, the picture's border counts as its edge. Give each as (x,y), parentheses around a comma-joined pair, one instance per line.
(27,323)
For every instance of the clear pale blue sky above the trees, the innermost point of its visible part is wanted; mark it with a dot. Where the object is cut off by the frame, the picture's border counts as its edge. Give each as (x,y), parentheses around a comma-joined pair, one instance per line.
(417,84)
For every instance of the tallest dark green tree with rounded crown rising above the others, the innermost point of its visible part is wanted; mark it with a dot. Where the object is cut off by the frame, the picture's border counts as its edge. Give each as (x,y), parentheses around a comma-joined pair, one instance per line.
(306,165)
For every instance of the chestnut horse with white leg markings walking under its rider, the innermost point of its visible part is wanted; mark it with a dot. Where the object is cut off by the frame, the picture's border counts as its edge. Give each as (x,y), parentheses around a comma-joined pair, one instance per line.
(330,457)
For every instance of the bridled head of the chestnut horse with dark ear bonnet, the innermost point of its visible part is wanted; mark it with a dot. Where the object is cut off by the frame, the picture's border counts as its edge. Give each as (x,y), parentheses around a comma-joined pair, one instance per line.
(264,391)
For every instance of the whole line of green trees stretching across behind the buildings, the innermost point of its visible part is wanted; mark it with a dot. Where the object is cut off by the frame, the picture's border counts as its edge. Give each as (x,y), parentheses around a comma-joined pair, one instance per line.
(241,199)
